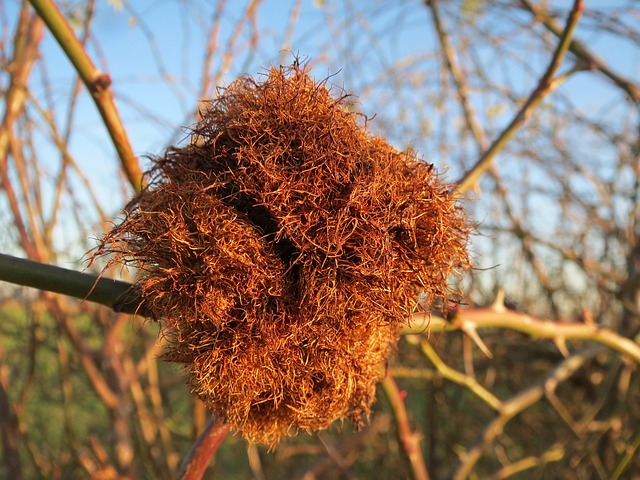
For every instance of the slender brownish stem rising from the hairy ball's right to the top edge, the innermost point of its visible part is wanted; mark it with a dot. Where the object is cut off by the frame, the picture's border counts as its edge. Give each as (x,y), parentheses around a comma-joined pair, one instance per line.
(546,85)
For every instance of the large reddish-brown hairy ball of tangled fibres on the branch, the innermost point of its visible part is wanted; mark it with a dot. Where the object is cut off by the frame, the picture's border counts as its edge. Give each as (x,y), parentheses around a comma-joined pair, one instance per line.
(285,247)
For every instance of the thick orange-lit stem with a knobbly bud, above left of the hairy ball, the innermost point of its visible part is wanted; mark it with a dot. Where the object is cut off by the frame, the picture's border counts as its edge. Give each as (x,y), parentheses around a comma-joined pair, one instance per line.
(97,83)
